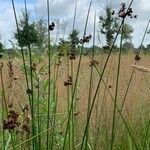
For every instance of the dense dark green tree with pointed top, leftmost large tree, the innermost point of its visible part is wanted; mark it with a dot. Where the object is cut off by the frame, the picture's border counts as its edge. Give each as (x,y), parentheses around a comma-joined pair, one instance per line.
(27,32)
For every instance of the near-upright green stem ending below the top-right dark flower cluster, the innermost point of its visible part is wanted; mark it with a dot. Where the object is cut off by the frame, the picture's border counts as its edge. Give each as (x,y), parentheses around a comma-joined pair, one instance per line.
(116,93)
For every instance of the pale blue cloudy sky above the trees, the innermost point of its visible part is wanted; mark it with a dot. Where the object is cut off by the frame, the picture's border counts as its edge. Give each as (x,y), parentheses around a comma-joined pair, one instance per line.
(64,10)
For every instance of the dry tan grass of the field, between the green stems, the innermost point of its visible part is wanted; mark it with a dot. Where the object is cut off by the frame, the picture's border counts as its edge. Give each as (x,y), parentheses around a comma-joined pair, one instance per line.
(136,104)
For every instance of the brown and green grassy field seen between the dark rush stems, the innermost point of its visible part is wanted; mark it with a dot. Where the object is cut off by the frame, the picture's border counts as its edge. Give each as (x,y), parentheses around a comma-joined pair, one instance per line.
(131,121)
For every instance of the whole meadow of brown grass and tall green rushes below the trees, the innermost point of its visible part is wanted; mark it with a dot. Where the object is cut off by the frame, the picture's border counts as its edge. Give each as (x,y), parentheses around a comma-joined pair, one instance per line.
(63,100)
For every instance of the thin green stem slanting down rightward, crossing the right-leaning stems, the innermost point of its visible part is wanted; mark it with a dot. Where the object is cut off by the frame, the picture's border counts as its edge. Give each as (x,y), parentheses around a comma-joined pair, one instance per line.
(119,111)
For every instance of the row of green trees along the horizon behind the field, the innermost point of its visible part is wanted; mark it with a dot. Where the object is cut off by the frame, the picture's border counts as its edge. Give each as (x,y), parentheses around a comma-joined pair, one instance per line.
(35,33)
